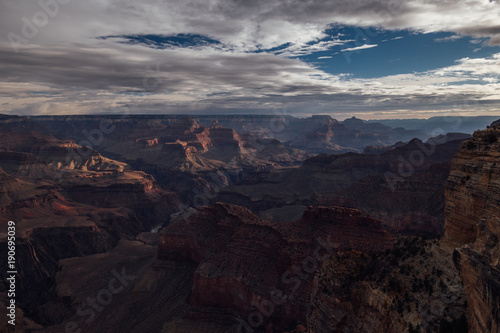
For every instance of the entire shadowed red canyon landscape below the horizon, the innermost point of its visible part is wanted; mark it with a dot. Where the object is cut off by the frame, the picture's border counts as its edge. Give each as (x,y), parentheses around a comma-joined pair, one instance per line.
(250,224)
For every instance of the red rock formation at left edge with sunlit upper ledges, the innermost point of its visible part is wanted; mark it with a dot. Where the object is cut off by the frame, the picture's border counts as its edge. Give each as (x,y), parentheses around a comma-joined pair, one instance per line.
(65,205)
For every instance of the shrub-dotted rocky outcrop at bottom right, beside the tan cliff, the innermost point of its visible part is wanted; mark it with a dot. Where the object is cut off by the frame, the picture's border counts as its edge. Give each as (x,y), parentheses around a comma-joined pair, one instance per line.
(411,288)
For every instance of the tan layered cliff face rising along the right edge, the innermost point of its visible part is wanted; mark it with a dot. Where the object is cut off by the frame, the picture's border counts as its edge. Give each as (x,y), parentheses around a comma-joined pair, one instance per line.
(473,223)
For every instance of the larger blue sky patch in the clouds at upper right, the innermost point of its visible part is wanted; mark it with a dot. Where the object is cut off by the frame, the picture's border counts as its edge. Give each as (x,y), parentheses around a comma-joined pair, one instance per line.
(396,52)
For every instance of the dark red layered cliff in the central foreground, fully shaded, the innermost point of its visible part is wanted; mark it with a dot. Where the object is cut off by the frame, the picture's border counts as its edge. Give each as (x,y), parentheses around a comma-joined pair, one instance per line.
(245,261)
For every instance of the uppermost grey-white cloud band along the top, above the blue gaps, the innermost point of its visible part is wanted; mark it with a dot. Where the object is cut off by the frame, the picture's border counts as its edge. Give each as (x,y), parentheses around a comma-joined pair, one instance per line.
(247,25)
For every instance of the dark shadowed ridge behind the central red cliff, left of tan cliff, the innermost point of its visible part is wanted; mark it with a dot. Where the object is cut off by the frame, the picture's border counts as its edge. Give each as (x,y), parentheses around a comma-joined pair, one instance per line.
(411,201)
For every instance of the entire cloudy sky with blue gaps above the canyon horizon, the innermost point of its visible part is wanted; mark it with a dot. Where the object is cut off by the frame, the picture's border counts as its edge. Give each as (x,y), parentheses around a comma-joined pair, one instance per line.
(374,59)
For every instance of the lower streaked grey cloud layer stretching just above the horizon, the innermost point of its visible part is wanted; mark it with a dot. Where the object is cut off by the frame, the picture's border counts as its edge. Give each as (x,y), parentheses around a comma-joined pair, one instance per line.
(135,79)
